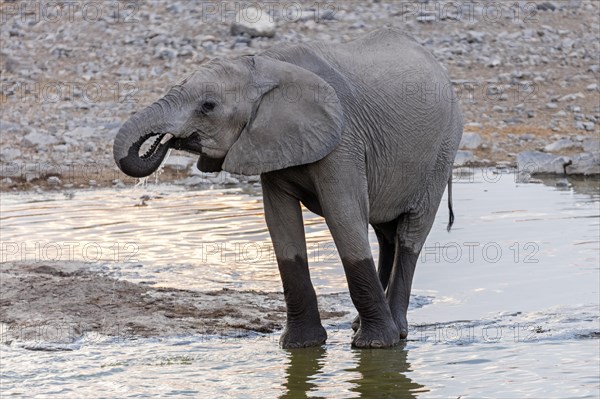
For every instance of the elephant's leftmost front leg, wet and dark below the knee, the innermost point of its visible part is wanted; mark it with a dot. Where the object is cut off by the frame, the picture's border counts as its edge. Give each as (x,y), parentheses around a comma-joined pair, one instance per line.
(284,219)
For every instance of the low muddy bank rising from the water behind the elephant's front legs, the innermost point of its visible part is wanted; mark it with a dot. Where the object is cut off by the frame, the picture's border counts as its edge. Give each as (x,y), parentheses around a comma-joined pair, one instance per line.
(44,303)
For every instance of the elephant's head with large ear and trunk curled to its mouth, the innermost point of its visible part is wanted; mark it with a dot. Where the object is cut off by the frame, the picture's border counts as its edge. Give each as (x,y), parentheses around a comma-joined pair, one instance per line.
(248,116)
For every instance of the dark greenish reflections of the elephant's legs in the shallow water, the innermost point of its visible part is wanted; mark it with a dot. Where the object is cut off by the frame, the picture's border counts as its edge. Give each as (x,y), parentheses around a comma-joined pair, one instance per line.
(381,373)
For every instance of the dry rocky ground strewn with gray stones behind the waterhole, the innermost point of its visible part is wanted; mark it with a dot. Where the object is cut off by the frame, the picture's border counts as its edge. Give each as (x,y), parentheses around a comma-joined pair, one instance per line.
(526,73)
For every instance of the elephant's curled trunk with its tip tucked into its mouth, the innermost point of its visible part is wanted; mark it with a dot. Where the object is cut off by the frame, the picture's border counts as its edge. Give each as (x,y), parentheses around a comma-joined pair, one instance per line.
(148,124)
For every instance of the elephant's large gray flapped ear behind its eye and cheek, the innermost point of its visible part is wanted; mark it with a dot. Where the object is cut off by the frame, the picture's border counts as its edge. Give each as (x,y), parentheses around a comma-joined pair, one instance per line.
(297,119)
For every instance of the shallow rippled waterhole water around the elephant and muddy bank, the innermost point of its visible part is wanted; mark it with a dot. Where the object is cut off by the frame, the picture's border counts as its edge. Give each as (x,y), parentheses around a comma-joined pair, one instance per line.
(513,309)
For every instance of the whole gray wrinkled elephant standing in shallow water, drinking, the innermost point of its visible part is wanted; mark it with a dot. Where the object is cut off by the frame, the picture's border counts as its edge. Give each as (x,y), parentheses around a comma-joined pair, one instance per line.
(360,133)
